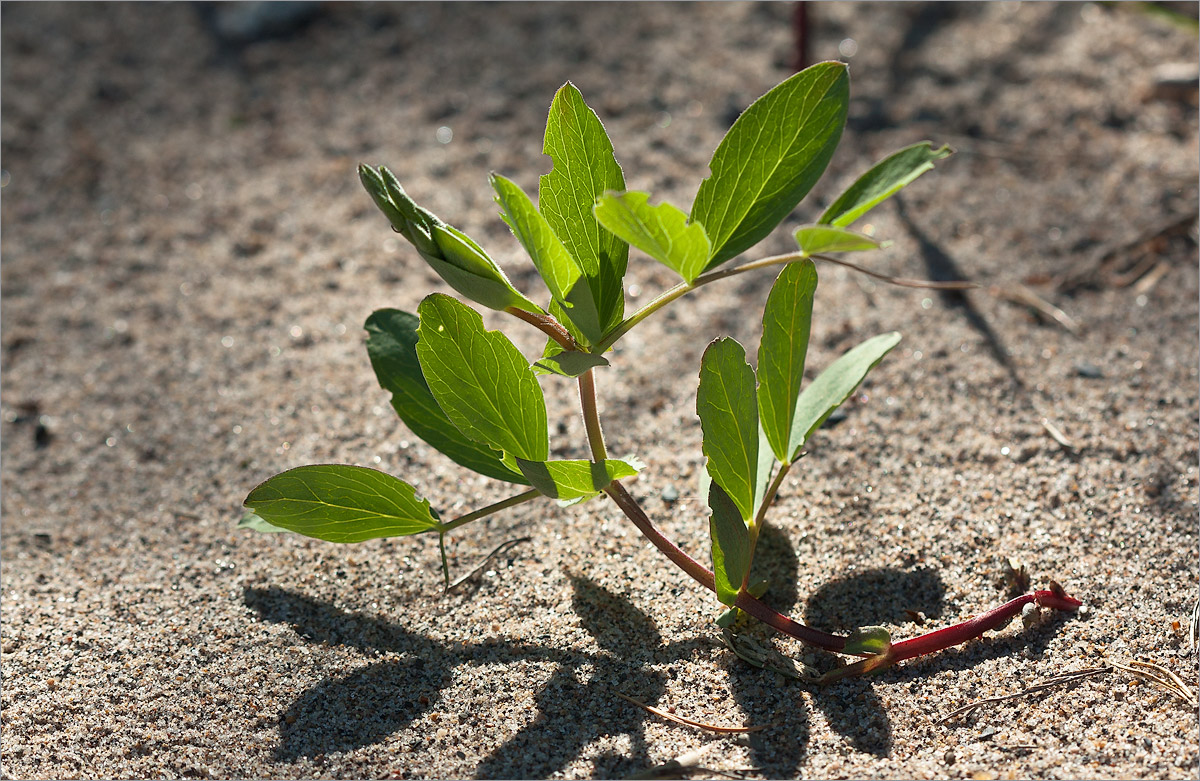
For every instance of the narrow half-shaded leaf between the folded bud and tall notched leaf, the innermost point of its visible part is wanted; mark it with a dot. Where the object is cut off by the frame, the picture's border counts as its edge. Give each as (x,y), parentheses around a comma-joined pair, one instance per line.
(562,274)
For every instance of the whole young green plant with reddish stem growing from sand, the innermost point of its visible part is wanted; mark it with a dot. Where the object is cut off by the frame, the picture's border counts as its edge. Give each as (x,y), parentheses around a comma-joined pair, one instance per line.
(472,395)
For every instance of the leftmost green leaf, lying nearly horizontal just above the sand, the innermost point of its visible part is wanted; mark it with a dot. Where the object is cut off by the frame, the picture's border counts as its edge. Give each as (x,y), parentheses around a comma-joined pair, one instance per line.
(341,504)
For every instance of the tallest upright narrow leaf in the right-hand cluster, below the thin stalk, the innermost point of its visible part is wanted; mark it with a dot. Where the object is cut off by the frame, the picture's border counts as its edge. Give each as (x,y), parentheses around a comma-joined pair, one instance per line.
(787,322)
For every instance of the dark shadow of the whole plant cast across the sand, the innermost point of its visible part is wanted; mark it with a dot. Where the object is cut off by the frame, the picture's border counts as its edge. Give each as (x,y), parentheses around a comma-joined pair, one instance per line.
(370,705)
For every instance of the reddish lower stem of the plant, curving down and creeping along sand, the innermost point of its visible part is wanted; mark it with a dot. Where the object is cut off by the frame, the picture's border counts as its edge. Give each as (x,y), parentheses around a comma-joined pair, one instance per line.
(939,640)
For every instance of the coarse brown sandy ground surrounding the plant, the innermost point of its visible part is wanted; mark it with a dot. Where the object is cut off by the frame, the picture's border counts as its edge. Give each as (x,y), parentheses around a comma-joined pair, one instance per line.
(188,260)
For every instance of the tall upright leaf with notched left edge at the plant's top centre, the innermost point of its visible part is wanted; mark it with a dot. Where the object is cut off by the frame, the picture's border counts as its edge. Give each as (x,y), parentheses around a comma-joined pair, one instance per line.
(584,167)
